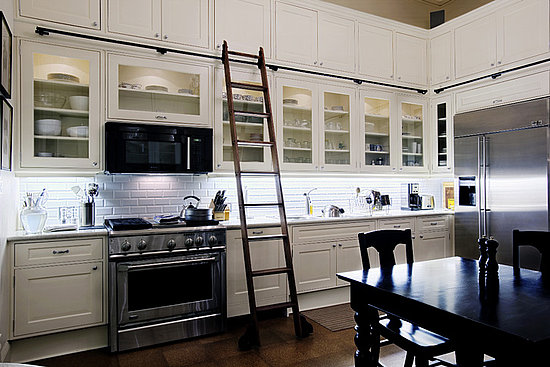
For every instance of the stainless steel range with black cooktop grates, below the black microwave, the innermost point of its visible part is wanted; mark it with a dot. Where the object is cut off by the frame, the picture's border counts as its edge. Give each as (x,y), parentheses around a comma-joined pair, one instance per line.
(166,282)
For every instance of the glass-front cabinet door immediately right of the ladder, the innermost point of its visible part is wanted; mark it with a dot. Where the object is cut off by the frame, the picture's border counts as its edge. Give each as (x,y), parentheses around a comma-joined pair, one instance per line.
(298,124)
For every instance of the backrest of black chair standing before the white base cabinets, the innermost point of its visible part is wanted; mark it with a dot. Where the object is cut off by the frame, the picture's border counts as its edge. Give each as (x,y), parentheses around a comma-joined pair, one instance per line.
(384,242)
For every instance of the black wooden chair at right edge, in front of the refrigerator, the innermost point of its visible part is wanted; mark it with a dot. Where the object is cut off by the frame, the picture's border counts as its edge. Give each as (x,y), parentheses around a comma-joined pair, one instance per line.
(537,239)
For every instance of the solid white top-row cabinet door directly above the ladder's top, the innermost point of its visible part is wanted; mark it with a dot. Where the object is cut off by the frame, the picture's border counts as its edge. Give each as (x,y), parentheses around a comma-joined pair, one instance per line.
(244,24)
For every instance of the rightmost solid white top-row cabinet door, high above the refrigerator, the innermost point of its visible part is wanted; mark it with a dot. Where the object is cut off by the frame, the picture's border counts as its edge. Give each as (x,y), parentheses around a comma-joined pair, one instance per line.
(524,31)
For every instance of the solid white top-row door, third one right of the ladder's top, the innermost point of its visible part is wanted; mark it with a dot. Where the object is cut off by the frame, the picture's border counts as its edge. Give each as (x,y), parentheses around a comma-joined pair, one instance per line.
(375,51)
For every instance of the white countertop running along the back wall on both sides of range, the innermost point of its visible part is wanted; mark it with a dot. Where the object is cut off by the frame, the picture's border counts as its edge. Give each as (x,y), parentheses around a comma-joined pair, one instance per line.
(271,221)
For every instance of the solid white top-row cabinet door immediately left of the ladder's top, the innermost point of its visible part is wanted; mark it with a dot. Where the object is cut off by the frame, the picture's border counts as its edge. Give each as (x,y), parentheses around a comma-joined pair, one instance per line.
(186,22)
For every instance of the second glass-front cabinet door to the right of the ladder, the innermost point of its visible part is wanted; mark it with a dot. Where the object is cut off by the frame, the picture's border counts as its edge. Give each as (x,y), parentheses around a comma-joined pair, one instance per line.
(337,128)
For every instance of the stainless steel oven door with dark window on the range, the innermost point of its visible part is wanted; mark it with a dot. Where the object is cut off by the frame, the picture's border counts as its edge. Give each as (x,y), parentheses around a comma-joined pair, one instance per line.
(169,286)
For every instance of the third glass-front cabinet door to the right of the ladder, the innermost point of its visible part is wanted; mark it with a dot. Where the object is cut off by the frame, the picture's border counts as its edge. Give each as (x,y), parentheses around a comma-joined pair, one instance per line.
(377,137)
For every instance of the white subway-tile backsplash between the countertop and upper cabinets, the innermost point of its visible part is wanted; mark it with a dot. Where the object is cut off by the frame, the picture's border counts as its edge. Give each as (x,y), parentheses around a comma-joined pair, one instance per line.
(143,196)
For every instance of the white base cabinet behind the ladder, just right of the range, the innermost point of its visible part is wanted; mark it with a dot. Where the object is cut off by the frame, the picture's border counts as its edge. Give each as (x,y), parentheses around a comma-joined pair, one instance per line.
(264,255)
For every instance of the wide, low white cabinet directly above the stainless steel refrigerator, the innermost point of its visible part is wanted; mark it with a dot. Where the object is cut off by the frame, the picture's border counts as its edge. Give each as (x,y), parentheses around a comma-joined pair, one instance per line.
(503,92)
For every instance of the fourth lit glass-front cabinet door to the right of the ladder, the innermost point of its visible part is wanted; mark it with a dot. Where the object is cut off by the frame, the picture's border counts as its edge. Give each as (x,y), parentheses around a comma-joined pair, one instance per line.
(411,116)
